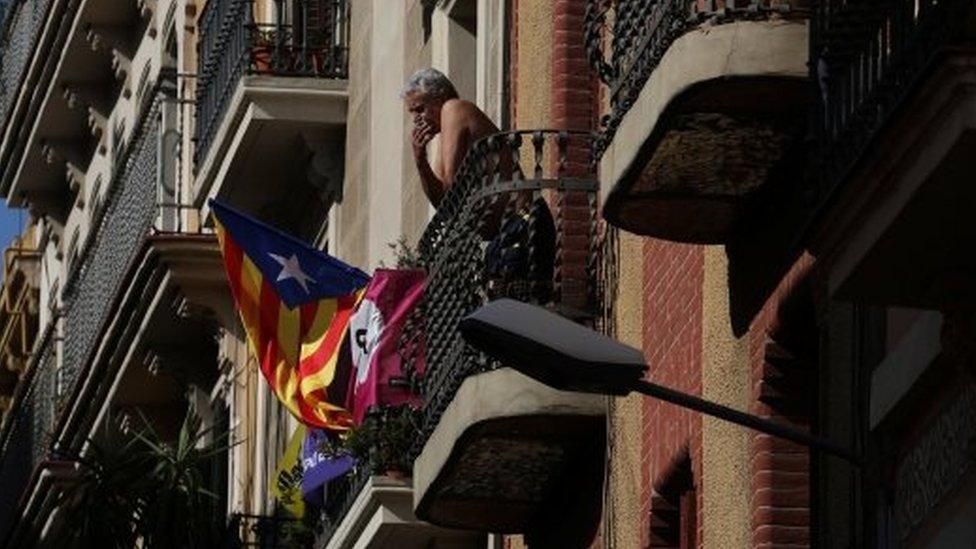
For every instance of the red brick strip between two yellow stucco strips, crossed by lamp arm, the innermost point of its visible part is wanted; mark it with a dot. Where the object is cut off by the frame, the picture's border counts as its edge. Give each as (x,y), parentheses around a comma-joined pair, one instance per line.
(673,277)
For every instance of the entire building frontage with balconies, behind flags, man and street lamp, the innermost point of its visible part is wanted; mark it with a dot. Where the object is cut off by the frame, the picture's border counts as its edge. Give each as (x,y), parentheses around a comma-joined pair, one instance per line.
(768,199)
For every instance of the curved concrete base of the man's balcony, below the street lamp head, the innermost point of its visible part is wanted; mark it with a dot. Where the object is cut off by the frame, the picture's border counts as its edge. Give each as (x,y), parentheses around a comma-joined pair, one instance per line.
(503,450)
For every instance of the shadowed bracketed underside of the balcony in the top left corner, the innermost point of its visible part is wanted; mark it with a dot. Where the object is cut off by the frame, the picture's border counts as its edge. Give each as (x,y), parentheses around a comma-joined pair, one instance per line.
(69,85)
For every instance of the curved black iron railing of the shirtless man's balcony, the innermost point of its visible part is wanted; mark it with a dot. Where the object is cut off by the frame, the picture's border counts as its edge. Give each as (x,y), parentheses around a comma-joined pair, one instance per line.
(491,238)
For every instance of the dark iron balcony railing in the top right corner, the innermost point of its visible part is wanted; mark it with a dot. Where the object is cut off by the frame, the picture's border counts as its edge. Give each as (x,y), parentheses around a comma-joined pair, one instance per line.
(867,58)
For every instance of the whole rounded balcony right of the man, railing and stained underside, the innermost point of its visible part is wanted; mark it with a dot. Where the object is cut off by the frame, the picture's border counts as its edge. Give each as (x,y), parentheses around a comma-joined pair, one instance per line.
(708,103)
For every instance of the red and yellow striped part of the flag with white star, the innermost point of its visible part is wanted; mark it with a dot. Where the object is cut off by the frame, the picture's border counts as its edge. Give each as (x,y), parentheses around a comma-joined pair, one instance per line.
(297,348)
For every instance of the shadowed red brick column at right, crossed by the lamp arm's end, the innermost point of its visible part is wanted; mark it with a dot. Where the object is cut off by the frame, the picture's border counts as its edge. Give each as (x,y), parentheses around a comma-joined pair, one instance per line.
(782,340)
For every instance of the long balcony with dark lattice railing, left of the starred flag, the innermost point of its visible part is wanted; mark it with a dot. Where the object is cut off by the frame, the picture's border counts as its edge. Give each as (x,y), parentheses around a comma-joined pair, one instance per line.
(137,322)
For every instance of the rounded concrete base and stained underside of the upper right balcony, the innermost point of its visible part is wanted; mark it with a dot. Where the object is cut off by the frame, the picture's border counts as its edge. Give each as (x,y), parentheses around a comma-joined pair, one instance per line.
(709,131)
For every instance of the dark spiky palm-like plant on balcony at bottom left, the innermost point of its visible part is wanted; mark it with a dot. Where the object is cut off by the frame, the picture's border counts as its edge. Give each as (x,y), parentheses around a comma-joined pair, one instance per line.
(141,488)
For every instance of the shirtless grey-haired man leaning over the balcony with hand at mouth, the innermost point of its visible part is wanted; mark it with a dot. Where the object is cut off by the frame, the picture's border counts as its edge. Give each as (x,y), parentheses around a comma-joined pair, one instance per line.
(433,101)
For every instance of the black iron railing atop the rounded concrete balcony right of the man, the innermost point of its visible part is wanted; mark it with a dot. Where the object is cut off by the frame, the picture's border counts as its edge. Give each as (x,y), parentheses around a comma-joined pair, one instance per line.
(626,40)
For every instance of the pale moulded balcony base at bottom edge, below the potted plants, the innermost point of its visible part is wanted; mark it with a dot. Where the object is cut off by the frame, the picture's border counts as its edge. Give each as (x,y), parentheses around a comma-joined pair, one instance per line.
(382,516)
